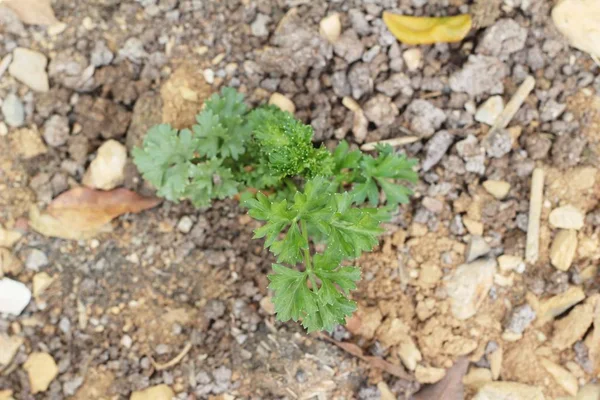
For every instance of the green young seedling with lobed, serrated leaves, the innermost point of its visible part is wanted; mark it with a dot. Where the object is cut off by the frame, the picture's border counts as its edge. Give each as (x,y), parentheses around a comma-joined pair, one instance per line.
(305,195)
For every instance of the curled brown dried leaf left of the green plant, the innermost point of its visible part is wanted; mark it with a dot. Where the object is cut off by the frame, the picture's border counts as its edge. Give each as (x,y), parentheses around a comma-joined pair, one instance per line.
(82,212)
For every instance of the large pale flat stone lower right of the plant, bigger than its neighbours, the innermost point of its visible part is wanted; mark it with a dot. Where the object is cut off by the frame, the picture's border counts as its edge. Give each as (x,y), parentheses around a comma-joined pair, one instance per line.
(469,285)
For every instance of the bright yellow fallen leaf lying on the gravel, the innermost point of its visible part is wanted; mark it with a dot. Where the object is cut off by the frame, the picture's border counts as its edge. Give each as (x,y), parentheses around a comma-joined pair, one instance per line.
(428,30)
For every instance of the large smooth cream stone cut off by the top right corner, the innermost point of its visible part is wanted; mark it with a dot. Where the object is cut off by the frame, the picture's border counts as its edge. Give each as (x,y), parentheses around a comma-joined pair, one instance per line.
(578,21)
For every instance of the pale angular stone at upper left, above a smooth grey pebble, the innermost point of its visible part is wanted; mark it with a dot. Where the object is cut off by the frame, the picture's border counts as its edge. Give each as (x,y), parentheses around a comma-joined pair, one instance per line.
(29,67)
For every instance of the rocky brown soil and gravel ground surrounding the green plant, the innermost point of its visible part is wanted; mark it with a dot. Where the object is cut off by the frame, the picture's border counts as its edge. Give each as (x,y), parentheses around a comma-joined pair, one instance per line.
(175,299)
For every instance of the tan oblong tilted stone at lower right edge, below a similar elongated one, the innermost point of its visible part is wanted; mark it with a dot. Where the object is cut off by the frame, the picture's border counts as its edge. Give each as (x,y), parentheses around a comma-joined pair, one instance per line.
(573,327)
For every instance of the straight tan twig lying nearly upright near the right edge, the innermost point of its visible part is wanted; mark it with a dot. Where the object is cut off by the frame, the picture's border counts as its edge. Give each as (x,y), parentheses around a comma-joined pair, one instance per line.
(535,214)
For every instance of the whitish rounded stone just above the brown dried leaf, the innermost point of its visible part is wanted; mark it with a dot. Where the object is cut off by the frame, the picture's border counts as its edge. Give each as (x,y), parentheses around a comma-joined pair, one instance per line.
(107,170)
